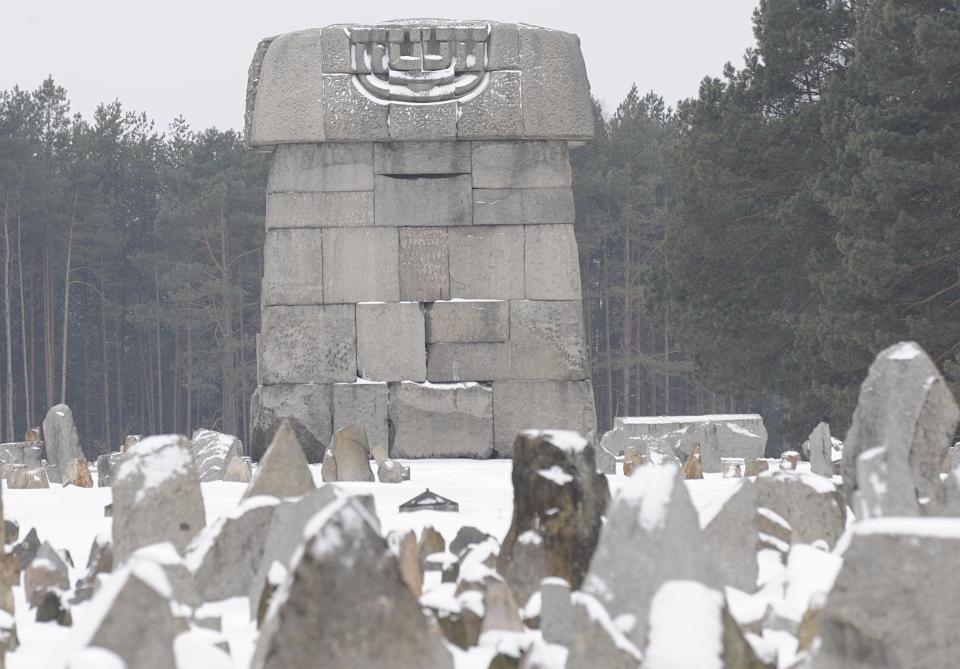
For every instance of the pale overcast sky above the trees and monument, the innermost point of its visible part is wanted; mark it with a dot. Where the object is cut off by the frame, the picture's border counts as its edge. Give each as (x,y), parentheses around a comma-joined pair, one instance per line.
(177,57)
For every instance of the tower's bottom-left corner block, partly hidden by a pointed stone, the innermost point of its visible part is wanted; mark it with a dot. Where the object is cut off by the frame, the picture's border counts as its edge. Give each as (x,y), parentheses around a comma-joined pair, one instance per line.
(308,408)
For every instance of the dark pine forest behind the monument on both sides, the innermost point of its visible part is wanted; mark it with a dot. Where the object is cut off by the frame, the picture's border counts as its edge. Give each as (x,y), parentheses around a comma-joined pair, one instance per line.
(750,250)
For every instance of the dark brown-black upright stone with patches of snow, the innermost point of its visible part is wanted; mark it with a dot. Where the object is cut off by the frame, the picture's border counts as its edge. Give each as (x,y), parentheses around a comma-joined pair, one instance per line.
(559,500)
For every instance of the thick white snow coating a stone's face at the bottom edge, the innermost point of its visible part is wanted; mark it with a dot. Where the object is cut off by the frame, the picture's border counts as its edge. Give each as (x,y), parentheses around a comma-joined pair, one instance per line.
(676,609)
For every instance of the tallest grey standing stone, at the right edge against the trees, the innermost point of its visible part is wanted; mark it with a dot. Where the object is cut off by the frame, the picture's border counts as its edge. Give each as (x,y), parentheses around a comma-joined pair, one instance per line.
(905,407)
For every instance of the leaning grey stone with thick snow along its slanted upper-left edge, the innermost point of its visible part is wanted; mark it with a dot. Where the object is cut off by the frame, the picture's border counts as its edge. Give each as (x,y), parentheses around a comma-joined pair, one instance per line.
(225,556)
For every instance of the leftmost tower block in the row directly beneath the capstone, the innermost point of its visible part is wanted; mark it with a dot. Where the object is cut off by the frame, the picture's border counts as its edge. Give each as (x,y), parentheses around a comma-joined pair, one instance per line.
(329,167)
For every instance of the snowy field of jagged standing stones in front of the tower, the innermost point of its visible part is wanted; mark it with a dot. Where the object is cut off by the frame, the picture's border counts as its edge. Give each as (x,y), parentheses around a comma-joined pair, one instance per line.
(669,554)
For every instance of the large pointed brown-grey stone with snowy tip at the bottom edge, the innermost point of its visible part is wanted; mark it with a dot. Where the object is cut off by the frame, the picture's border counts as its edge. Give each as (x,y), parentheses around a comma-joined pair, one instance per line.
(344,584)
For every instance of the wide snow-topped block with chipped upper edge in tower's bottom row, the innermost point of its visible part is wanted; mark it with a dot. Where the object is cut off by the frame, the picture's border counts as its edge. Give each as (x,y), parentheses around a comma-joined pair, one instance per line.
(432,420)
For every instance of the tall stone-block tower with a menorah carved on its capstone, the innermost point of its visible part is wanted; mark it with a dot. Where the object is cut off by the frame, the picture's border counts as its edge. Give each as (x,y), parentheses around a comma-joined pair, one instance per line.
(421,277)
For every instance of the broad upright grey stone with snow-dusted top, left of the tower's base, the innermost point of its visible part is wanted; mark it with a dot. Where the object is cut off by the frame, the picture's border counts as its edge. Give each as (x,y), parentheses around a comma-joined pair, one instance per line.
(156,496)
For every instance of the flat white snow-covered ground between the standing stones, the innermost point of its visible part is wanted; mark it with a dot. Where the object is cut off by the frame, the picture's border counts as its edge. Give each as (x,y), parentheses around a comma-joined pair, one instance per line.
(69,518)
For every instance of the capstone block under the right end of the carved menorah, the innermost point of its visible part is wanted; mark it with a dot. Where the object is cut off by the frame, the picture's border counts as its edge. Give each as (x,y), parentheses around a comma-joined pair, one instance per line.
(495,113)
